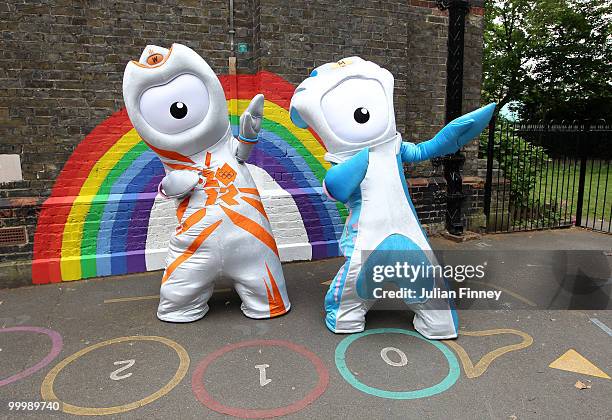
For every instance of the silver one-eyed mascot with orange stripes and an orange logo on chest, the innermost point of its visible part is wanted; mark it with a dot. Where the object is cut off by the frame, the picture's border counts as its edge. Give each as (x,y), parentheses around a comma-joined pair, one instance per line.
(176,103)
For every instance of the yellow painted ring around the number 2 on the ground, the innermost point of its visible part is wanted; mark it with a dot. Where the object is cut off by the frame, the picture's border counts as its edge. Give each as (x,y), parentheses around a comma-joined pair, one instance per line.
(46,388)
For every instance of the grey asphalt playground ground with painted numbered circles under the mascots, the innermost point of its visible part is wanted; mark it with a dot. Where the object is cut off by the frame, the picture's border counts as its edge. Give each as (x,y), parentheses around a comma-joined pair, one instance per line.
(96,347)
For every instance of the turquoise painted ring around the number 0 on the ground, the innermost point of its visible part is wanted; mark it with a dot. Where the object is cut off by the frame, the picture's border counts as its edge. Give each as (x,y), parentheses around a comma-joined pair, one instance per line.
(446,383)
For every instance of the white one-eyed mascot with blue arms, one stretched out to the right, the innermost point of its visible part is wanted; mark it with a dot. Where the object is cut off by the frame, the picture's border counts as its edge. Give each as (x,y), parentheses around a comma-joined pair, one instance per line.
(349,104)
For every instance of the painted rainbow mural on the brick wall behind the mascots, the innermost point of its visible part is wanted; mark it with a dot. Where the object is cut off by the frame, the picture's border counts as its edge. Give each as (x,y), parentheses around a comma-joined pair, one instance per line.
(96,220)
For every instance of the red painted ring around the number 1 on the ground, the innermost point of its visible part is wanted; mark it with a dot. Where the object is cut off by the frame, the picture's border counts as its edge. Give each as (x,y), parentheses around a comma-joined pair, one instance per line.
(199,390)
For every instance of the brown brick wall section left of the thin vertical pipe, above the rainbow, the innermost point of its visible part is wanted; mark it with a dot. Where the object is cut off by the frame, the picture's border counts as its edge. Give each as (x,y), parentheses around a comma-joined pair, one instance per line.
(61,69)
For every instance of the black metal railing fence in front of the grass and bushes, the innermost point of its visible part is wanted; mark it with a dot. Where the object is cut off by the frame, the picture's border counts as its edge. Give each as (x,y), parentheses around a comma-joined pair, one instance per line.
(548,175)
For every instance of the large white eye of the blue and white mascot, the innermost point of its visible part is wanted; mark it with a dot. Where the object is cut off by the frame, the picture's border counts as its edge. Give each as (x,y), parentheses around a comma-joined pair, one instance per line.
(356,110)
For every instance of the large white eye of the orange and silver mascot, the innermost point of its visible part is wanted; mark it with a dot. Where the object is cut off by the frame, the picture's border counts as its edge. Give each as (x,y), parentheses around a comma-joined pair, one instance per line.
(176,106)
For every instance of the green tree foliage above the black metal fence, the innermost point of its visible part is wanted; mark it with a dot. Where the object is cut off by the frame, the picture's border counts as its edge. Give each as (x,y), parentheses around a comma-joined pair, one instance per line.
(552,56)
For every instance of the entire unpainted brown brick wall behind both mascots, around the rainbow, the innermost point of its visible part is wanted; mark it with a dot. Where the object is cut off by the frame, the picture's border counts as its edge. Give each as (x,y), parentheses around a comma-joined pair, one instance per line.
(62,64)
